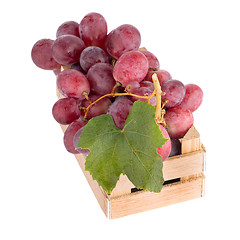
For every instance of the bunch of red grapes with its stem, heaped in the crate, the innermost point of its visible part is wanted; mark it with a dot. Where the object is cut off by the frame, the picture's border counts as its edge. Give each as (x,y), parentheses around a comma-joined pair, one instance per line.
(100,72)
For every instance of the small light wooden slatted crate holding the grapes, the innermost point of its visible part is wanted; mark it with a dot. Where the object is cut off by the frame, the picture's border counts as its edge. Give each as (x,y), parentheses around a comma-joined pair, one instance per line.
(183,174)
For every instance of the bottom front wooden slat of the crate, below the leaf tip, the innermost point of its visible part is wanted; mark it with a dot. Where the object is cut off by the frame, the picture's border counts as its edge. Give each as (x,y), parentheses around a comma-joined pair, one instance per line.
(145,200)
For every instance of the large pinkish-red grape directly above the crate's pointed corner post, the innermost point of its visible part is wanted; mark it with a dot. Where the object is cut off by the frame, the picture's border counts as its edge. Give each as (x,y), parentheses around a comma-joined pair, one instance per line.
(178,121)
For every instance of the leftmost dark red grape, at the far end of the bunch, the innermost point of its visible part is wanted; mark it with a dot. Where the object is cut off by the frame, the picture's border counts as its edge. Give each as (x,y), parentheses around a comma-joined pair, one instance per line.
(42,55)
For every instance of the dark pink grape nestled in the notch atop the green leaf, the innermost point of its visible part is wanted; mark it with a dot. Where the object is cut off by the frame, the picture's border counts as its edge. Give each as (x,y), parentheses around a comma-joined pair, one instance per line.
(119,110)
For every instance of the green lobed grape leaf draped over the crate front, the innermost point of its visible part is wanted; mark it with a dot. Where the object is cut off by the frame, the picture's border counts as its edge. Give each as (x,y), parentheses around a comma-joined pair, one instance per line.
(131,151)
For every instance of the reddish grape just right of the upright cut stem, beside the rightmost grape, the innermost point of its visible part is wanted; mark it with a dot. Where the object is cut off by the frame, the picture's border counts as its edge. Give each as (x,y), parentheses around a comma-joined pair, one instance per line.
(174,92)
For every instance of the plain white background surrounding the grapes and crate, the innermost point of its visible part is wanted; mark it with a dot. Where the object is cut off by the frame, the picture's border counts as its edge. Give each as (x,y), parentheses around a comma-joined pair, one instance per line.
(43,193)
